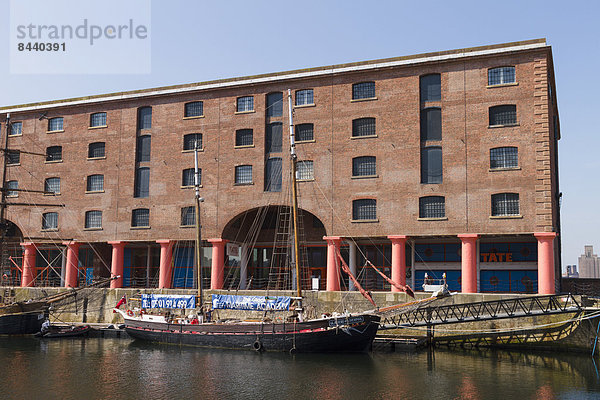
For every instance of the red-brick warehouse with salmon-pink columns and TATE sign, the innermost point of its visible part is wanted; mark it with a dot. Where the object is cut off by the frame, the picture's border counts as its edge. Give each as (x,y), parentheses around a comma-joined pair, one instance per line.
(433,163)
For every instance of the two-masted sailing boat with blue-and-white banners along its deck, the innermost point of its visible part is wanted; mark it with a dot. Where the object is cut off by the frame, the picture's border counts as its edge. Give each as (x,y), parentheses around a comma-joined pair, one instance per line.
(341,333)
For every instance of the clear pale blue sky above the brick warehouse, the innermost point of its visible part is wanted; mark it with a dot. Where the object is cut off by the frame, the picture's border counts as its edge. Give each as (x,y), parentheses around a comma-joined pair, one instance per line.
(202,40)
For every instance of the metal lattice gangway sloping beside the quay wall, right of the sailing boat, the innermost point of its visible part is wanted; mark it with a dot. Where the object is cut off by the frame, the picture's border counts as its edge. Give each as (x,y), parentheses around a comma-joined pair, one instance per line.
(428,315)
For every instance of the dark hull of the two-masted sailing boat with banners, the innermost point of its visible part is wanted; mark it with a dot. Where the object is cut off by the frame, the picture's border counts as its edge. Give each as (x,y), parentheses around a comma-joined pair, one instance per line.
(347,334)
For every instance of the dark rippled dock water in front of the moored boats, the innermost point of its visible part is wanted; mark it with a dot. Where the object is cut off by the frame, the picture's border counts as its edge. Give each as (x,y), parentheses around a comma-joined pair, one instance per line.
(120,369)
